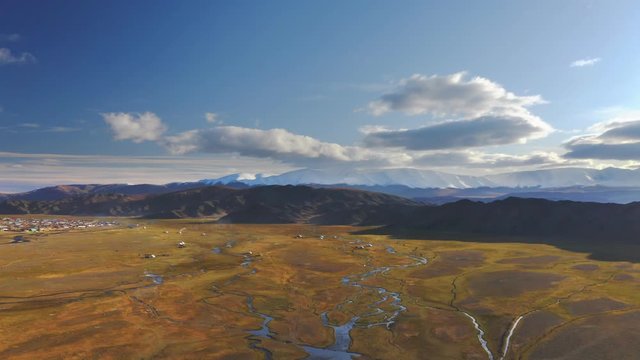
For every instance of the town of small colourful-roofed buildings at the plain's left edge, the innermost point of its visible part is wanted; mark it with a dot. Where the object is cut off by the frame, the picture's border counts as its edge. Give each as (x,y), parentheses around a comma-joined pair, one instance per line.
(47,224)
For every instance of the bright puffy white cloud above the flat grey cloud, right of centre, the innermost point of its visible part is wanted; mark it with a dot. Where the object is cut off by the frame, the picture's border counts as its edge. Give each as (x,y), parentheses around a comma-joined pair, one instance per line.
(452,96)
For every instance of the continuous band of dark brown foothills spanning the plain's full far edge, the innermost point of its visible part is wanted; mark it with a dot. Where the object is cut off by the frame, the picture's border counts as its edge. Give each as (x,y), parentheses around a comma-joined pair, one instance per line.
(330,206)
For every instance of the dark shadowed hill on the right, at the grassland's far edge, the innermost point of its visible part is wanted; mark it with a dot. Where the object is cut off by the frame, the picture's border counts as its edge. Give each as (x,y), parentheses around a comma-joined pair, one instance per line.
(531,218)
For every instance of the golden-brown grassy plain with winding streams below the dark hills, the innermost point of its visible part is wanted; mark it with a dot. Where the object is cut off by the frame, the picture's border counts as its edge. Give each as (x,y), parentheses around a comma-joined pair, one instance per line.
(88,294)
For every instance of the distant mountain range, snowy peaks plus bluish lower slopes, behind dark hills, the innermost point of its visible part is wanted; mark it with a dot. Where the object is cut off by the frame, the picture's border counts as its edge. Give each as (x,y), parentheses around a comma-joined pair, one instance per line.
(576,184)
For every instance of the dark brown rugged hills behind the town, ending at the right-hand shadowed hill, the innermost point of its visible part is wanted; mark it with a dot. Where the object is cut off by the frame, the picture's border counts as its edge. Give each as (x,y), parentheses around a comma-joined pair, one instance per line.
(267,204)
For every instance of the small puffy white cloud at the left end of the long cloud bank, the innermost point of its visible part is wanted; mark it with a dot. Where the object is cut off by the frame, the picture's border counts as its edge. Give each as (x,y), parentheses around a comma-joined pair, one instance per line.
(135,127)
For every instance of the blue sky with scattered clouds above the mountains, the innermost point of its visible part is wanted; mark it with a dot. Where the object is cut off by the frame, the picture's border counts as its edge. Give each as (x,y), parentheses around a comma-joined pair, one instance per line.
(71,70)
